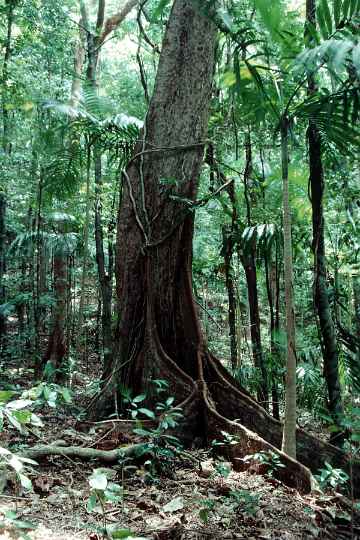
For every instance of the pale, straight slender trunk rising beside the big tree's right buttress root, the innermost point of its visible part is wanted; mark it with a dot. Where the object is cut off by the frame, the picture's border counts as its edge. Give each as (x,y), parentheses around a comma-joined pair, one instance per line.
(289,433)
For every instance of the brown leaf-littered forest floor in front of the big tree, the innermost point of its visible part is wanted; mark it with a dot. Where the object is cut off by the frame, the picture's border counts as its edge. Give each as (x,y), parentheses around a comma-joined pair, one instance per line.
(198,497)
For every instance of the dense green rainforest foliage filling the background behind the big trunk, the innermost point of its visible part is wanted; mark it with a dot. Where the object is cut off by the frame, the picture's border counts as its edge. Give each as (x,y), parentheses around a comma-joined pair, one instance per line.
(264,61)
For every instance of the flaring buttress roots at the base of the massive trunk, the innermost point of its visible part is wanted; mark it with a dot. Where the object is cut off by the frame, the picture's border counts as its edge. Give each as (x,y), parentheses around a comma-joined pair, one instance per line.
(212,402)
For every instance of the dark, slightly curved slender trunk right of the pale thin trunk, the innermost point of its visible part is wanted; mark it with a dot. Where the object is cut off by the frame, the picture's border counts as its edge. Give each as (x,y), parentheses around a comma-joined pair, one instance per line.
(321,296)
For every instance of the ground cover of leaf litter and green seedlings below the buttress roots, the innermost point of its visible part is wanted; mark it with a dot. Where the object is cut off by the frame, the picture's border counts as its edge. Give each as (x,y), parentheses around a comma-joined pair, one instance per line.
(187,494)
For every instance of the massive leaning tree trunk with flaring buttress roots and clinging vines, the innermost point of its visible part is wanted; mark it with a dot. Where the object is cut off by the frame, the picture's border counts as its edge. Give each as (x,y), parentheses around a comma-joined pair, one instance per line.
(158,332)
